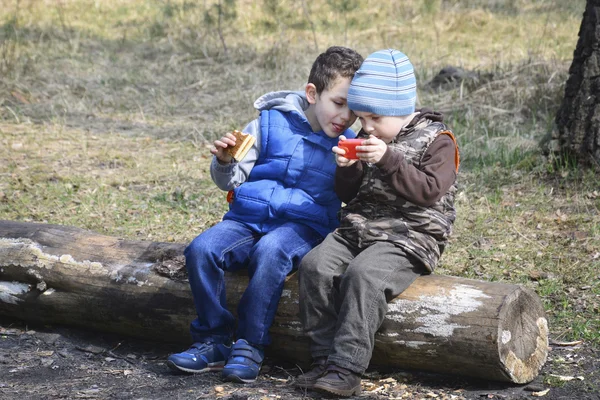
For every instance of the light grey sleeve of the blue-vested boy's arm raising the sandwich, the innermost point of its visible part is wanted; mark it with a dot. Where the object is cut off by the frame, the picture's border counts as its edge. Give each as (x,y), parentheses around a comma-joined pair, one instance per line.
(231,175)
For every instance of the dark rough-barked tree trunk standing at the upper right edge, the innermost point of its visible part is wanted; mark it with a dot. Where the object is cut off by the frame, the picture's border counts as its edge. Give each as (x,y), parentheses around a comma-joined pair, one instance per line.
(578,119)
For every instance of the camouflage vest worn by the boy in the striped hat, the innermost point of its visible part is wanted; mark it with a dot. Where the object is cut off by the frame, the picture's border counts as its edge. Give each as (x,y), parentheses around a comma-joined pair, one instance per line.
(378,213)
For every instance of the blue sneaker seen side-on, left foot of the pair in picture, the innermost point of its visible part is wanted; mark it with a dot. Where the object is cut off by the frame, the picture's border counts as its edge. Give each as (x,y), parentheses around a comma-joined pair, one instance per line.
(201,357)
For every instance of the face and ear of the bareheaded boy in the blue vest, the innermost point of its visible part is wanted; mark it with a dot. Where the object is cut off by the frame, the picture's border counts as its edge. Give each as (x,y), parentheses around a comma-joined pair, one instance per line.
(330,108)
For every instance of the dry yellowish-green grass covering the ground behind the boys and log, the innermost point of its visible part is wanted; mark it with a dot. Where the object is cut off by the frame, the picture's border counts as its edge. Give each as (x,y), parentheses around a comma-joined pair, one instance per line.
(107,110)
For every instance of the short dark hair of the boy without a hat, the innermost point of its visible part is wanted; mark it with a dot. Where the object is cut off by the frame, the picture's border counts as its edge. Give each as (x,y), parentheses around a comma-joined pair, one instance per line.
(335,62)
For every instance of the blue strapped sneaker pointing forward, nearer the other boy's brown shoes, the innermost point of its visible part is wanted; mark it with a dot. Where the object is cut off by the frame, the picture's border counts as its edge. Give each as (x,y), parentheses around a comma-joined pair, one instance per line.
(244,363)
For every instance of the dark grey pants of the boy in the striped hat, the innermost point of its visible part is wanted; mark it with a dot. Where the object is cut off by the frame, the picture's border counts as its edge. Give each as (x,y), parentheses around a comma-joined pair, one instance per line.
(344,292)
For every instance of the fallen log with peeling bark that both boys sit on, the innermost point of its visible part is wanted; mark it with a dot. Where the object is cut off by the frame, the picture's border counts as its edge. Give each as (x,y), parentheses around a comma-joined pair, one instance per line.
(55,274)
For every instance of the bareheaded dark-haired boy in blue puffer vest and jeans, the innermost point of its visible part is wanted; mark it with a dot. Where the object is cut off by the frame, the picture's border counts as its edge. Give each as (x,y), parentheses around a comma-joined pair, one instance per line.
(283,204)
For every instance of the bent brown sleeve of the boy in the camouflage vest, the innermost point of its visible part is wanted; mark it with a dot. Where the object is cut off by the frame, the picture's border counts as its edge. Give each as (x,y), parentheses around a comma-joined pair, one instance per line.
(426,183)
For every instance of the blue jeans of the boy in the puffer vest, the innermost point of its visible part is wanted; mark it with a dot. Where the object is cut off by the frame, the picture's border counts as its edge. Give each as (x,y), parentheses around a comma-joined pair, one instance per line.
(269,258)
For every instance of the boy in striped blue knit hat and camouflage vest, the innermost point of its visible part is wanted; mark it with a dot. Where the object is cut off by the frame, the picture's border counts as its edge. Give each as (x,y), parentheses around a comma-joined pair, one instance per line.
(399,215)
